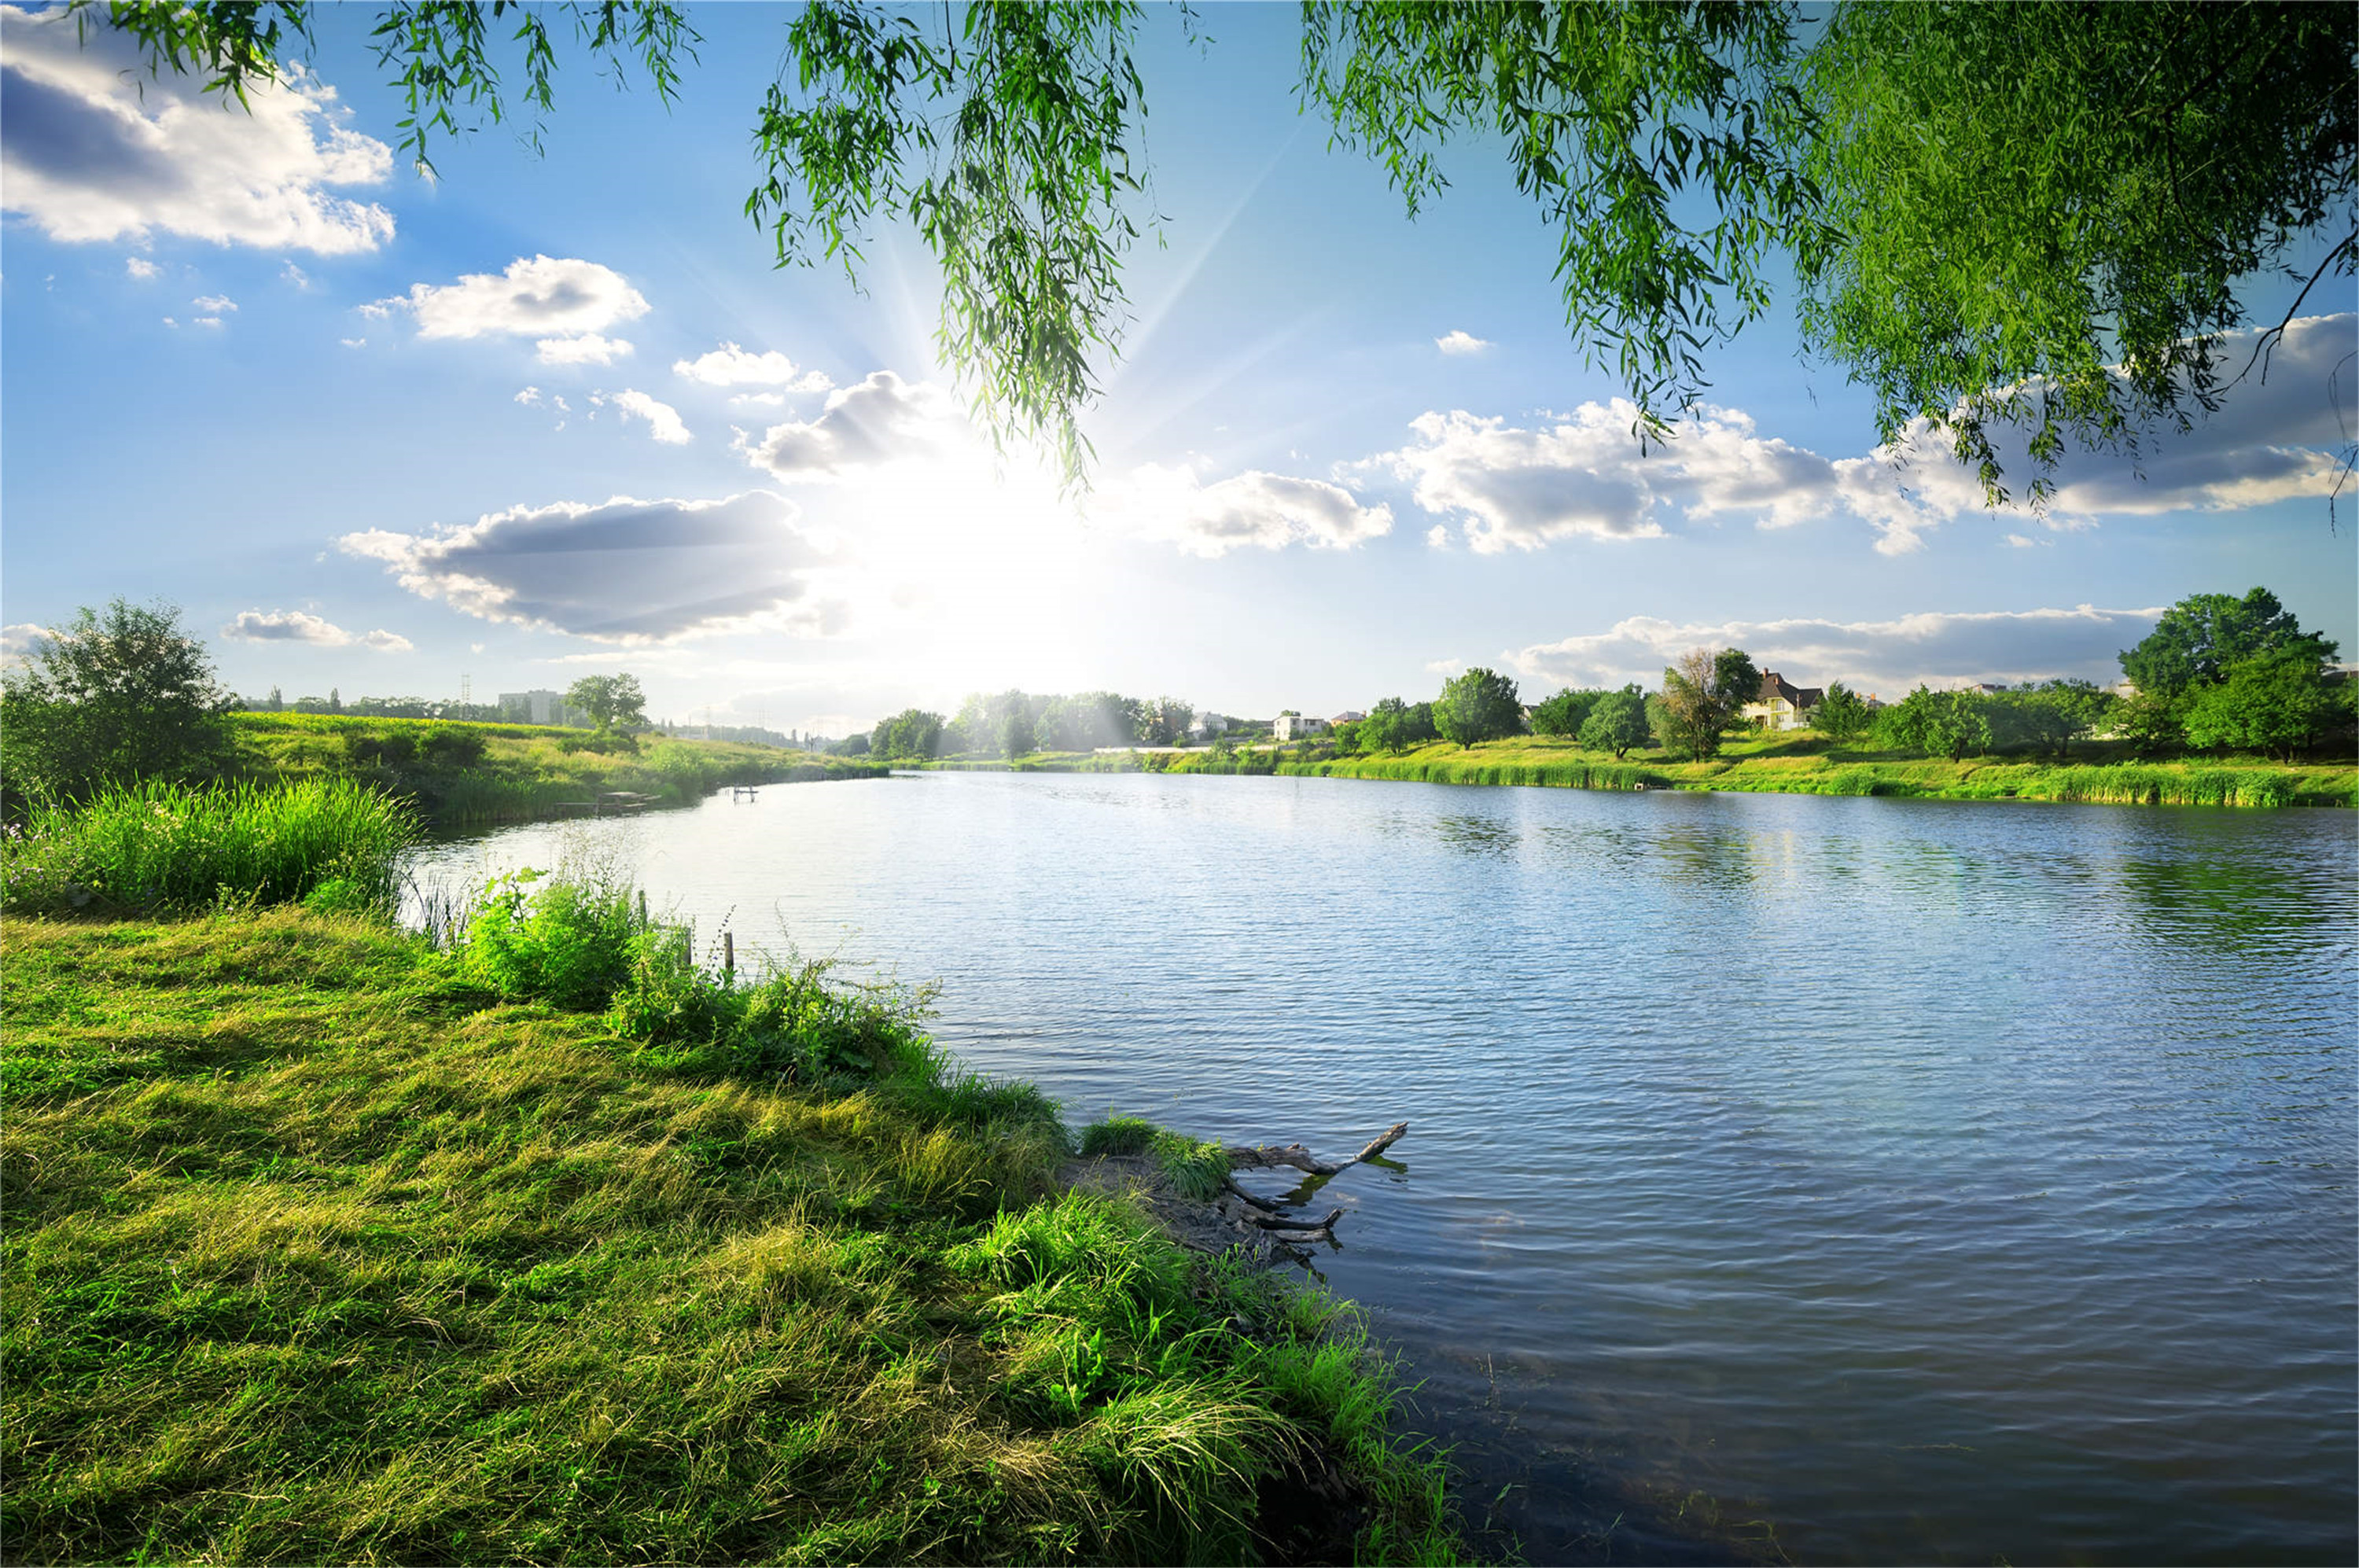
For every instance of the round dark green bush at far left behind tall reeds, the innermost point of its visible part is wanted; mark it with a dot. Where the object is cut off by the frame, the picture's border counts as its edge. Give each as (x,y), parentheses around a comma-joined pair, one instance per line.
(119,697)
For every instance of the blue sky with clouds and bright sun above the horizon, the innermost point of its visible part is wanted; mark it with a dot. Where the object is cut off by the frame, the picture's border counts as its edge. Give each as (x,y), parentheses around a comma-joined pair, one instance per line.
(558,414)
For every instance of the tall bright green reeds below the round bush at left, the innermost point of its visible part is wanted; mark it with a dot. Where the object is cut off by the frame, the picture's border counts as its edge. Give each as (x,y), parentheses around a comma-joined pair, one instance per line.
(190,848)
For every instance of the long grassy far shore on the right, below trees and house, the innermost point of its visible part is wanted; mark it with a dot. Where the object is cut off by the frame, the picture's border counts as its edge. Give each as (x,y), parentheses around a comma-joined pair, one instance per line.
(1796,767)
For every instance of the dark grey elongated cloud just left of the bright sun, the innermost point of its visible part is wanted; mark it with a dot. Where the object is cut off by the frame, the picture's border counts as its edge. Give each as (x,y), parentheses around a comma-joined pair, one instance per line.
(626,572)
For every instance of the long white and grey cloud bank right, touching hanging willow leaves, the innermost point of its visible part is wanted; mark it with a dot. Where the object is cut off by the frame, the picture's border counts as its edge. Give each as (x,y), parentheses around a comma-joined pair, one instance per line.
(1582,475)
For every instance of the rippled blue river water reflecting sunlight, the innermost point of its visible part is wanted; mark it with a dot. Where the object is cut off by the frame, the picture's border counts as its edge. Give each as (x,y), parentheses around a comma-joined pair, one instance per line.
(1841,1180)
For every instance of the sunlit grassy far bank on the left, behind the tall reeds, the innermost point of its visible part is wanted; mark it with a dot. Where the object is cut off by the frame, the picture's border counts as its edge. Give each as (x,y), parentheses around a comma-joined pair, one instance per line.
(511,772)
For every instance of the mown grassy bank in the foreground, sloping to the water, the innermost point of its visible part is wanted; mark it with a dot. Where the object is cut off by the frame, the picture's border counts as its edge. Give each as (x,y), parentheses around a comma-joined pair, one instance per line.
(322,1251)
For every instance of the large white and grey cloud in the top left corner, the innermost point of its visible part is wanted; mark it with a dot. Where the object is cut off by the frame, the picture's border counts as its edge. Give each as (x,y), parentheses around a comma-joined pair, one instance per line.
(98,150)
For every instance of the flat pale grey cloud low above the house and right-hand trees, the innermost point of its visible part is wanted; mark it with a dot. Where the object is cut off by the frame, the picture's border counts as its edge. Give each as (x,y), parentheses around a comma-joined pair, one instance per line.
(1881,657)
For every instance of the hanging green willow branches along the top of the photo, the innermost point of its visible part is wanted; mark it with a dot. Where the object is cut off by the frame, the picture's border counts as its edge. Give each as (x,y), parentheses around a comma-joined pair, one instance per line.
(1999,213)
